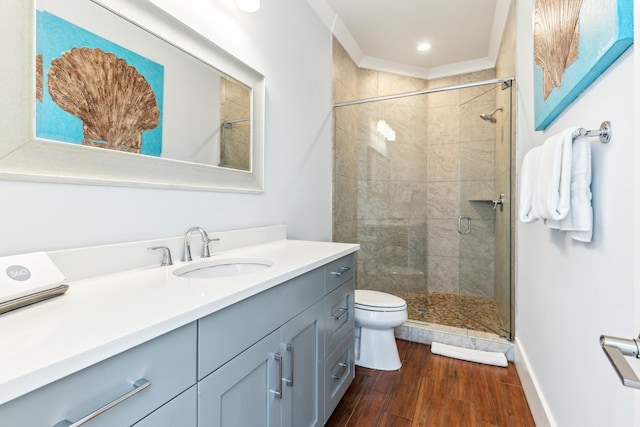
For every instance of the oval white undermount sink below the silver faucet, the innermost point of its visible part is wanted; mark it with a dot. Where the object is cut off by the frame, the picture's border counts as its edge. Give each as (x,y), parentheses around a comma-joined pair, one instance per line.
(212,269)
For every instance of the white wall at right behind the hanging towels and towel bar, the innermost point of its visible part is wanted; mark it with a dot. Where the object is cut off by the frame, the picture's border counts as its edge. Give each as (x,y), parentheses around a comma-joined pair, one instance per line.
(570,293)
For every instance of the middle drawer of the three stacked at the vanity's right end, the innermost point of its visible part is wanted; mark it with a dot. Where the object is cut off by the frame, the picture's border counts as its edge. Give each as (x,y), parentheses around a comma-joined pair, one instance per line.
(338,315)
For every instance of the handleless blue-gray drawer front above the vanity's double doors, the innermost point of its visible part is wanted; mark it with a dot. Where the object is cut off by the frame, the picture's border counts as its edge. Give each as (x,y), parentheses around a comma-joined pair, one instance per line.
(228,332)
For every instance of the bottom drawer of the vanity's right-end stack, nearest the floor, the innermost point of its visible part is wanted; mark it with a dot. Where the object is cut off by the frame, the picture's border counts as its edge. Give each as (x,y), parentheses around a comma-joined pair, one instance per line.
(339,373)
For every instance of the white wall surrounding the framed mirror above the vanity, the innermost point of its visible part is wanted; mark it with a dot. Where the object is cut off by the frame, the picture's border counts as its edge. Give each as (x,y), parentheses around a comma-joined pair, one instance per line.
(295,57)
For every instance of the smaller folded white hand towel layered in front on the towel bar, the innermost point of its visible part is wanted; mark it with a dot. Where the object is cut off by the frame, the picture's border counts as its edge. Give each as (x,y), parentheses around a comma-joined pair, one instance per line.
(551,190)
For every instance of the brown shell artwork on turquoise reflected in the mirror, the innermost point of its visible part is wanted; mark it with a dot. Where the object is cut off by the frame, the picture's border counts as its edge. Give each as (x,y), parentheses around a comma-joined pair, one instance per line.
(93,92)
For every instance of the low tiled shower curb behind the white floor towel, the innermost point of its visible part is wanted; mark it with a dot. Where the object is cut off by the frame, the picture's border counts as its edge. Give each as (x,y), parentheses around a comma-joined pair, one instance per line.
(427,333)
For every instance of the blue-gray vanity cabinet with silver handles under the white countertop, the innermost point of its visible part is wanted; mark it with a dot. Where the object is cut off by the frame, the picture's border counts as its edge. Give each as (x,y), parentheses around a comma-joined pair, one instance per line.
(282,357)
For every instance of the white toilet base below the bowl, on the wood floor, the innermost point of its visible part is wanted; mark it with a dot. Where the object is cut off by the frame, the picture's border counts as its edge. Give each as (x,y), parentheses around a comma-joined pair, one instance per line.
(377,350)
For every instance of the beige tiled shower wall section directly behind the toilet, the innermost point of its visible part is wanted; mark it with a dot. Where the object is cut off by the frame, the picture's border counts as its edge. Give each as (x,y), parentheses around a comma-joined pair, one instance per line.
(392,203)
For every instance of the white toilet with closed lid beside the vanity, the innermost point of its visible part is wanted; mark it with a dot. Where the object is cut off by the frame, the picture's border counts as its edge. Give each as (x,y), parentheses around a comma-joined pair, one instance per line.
(376,315)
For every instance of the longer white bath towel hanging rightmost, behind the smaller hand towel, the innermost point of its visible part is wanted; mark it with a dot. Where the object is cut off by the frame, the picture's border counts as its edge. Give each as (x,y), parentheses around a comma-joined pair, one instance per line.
(579,220)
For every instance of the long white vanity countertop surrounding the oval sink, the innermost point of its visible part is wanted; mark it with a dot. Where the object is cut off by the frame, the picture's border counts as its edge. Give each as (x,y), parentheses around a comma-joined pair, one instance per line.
(100,317)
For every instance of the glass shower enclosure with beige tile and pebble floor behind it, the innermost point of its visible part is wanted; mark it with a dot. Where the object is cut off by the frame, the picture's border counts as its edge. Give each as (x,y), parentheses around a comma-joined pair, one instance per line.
(423,183)
